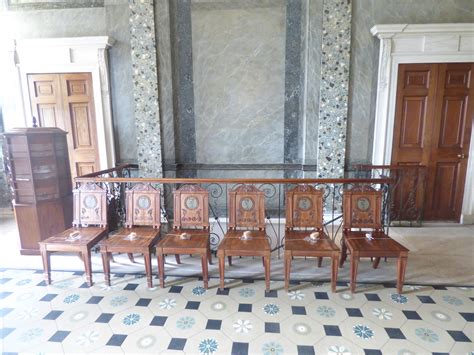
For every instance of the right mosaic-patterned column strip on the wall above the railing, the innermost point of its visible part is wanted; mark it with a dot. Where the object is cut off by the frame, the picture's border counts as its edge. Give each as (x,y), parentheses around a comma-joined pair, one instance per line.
(335,61)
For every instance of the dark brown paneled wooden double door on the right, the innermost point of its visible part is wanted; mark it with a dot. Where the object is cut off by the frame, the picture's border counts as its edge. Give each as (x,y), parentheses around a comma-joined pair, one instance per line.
(433,122)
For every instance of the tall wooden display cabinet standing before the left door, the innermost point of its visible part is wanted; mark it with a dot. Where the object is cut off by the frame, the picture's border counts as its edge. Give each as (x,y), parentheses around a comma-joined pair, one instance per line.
(38,170)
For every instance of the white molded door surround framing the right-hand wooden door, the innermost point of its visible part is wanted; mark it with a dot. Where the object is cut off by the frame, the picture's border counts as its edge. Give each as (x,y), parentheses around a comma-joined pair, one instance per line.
(428,43)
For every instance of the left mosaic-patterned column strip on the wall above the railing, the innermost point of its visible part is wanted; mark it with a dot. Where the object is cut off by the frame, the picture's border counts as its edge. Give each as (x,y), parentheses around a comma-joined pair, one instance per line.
(145,87)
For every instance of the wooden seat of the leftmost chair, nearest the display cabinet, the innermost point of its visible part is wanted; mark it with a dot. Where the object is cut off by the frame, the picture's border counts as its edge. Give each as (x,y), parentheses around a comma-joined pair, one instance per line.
(88,237)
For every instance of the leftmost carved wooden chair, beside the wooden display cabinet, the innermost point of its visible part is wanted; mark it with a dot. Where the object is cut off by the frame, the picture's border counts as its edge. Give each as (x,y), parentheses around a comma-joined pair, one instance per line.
(89,227)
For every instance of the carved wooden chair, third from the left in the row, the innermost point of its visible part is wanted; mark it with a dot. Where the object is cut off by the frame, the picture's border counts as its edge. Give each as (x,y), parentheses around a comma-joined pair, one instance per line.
(190,234)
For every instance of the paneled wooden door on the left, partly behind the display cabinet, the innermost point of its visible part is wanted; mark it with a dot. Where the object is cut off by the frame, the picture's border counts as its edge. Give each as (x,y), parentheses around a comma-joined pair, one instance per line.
(66,101)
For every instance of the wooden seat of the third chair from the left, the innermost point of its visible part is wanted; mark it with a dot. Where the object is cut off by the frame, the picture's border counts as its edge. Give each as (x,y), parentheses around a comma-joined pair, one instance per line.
(199,240)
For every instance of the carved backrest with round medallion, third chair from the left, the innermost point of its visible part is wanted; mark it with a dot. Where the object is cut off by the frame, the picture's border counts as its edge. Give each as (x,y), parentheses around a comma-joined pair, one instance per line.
(191,207)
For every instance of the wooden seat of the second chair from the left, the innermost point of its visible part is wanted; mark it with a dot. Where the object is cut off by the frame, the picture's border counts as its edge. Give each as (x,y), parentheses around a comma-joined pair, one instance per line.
(119,241)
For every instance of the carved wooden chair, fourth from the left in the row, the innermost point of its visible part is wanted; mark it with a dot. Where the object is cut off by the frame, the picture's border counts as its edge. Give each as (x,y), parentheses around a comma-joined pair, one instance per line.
(246,215)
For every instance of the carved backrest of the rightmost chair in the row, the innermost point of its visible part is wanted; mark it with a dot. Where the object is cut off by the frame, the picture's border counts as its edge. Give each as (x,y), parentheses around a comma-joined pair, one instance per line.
(362,208)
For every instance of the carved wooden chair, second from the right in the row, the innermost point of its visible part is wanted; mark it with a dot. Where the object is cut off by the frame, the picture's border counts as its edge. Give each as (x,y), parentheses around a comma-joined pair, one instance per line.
(304,235)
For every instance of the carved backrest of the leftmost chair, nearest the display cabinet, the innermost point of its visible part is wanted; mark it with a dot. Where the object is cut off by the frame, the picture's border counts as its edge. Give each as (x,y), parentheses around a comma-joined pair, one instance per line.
(90,205)
